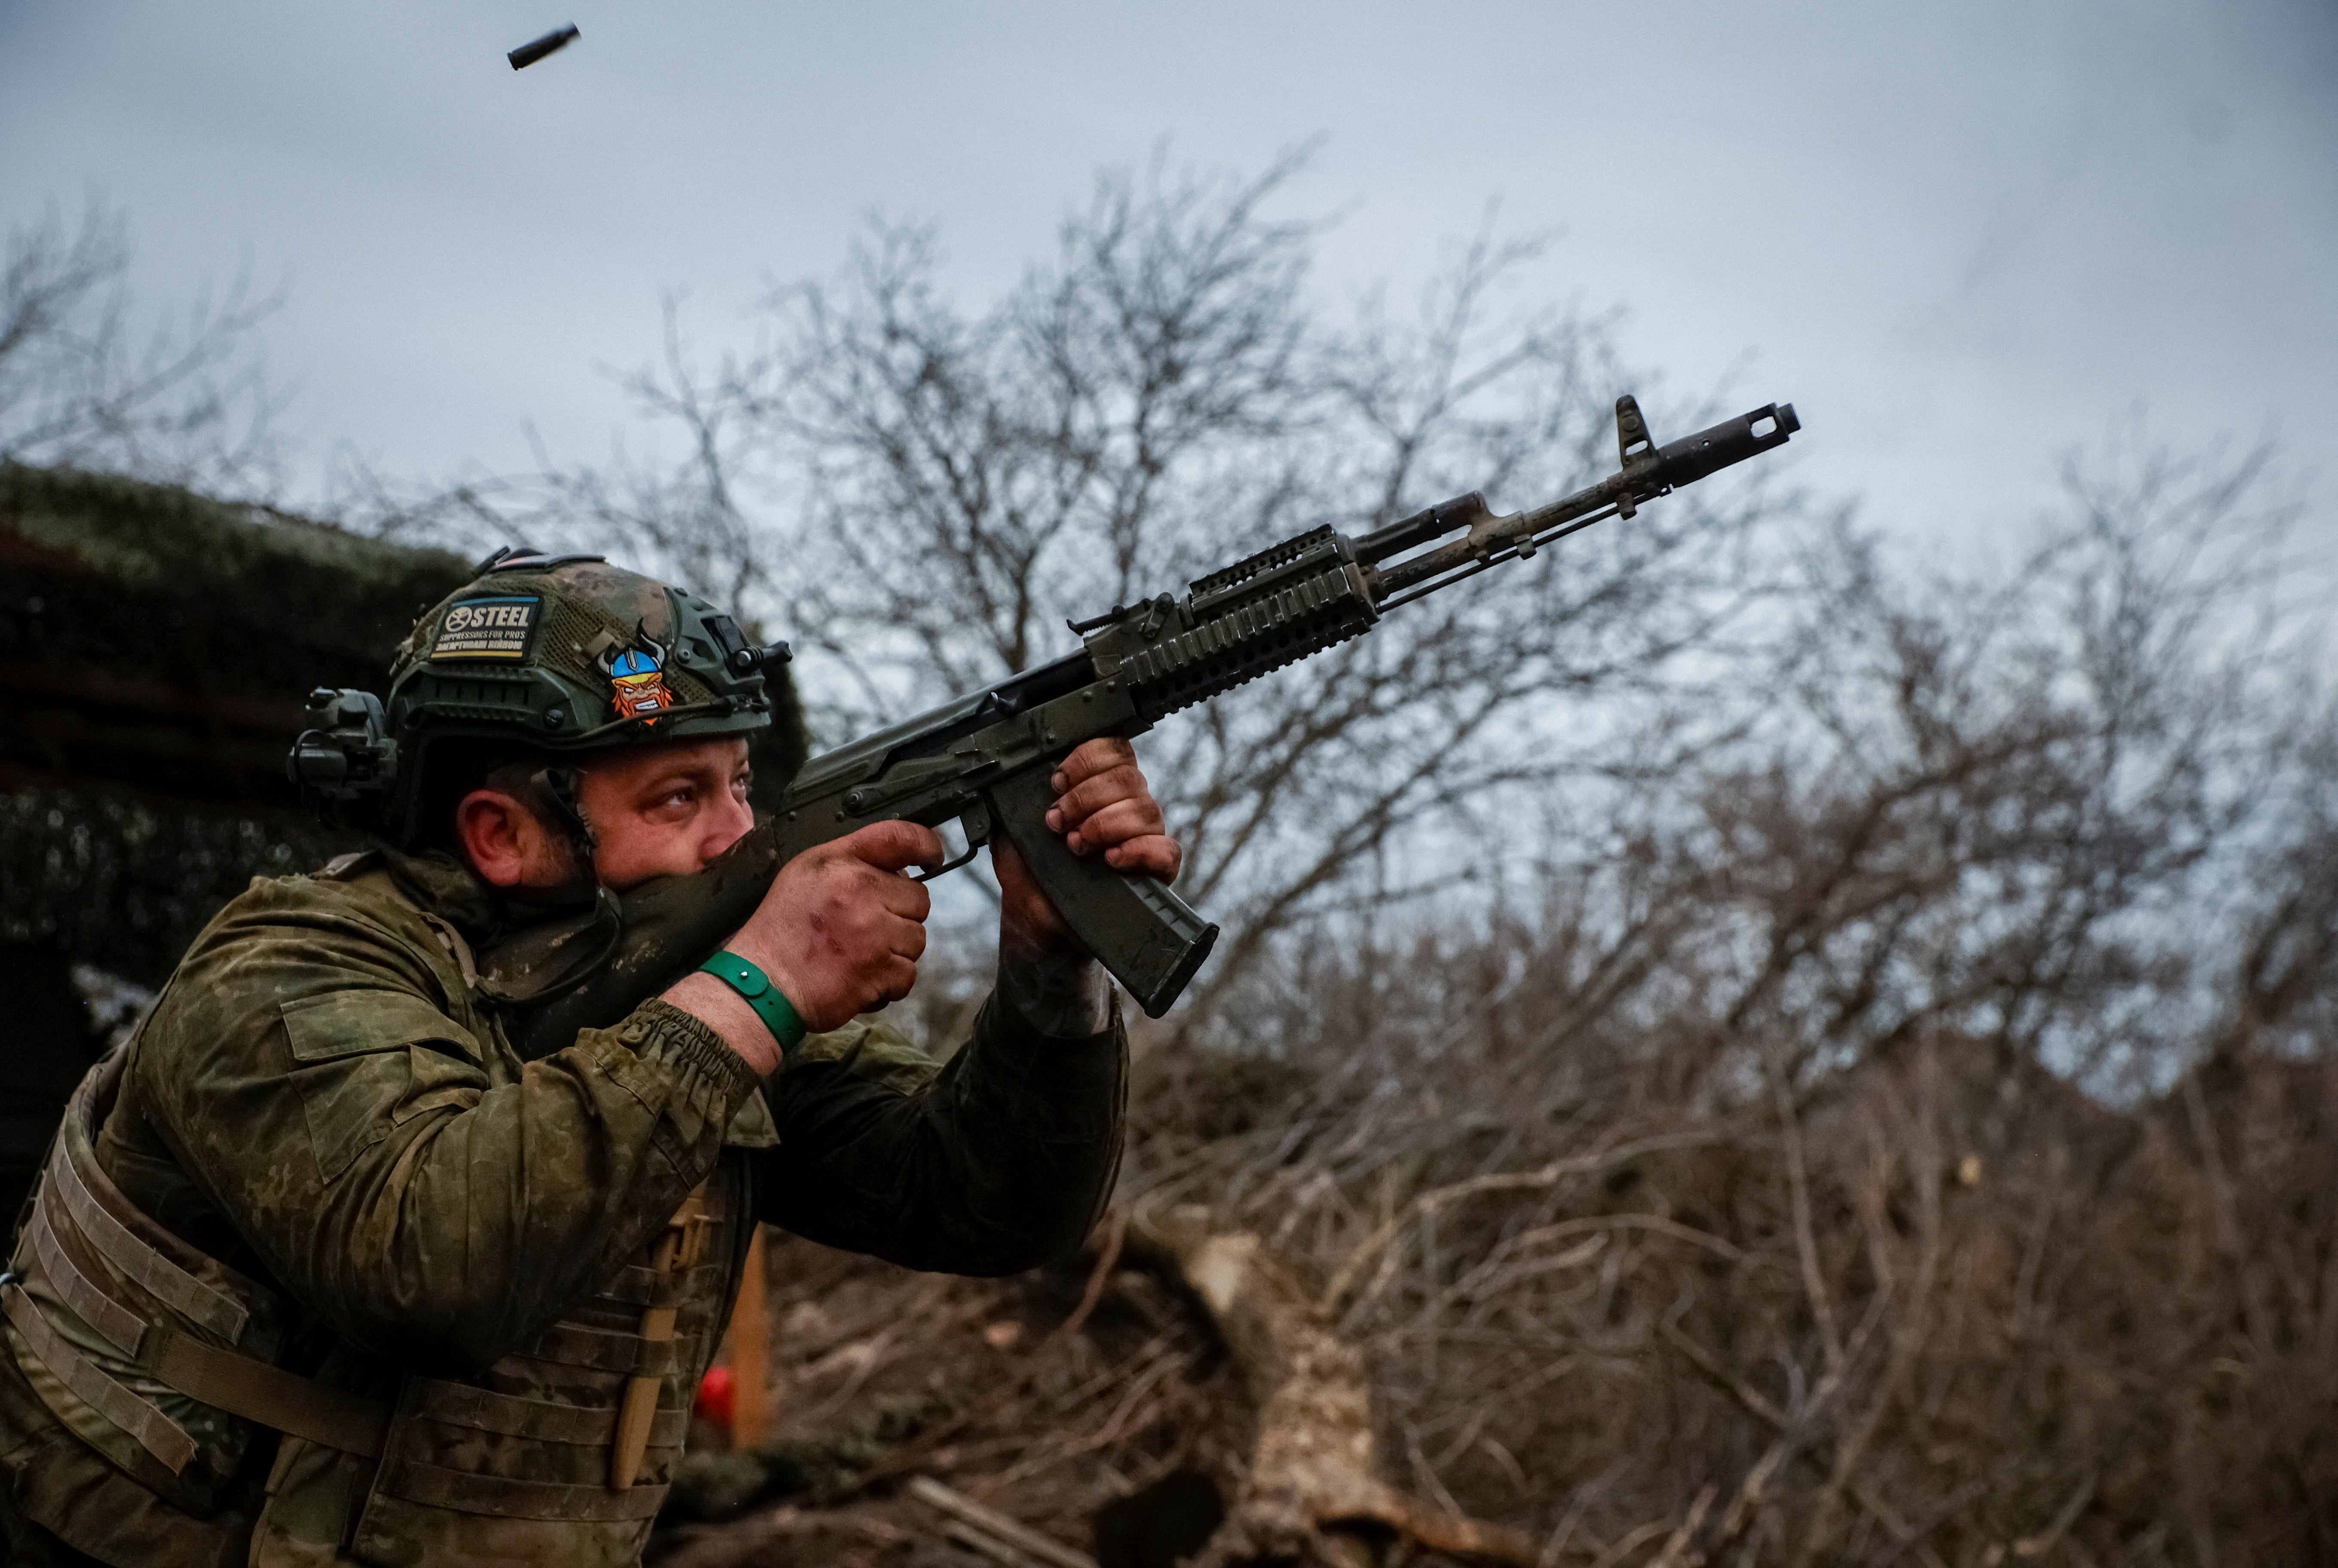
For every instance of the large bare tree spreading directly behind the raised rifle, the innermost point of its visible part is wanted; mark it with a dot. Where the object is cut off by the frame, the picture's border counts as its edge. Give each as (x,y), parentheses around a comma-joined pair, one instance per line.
(922,494)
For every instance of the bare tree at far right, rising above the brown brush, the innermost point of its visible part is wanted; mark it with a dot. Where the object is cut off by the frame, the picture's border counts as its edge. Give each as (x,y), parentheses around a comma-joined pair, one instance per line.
(2021,796)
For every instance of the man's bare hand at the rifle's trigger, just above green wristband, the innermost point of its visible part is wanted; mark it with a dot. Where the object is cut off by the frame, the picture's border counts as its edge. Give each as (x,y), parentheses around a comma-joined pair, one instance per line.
(843,929)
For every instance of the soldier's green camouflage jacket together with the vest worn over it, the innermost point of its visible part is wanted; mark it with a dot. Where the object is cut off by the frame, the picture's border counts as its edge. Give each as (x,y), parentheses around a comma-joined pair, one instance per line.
(326,1130)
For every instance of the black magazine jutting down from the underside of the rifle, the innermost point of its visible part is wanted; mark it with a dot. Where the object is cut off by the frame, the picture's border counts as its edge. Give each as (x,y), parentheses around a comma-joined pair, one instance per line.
(1144,934)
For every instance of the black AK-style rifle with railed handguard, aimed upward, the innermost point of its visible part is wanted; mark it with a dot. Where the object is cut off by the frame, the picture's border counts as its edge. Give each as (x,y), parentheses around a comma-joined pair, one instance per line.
(985,761)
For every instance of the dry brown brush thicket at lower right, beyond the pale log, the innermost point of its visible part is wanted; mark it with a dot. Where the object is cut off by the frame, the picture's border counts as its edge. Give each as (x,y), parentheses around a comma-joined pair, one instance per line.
(1932,1312)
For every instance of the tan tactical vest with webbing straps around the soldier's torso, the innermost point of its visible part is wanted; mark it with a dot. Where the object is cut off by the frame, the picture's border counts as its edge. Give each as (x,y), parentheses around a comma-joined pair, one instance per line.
(165,1361)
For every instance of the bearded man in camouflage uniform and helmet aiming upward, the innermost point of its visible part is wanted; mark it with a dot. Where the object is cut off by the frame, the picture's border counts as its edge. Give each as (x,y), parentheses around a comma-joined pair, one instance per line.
(324,1272)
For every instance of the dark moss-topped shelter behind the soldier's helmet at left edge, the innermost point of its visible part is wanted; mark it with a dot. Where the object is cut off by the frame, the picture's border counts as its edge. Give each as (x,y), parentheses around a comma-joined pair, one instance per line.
(158,648)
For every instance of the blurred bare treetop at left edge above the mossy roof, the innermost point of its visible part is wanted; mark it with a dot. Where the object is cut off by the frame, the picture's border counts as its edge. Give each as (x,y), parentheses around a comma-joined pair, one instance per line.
(83,384)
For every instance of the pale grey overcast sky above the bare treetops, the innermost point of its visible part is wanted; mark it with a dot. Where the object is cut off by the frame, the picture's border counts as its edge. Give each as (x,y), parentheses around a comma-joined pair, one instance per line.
(1958,237)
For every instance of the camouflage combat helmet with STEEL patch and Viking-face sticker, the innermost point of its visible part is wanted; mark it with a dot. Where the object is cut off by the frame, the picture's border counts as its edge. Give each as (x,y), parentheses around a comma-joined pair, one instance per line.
(546,655)
